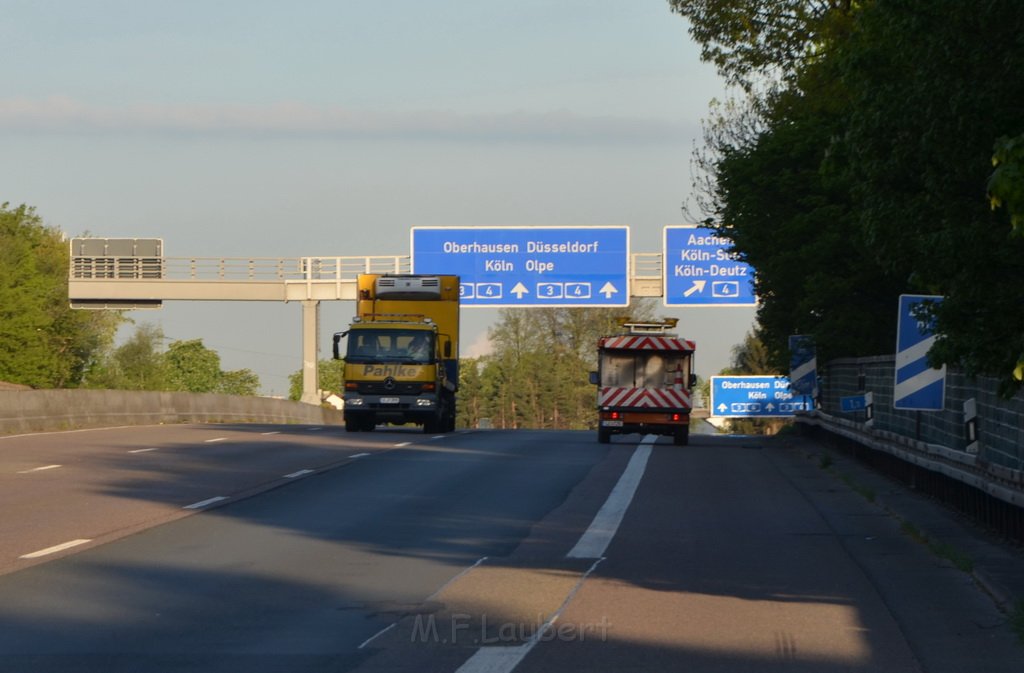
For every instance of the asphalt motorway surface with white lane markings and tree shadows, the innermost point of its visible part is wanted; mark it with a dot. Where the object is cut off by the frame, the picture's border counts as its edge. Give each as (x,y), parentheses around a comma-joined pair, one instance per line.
(296,549)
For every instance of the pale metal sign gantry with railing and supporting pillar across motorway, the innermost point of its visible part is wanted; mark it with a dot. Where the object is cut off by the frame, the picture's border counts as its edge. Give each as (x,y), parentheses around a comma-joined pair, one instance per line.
(133,274)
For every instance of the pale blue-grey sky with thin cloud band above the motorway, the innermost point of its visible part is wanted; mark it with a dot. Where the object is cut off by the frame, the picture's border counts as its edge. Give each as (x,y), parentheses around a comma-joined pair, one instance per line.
(269,129)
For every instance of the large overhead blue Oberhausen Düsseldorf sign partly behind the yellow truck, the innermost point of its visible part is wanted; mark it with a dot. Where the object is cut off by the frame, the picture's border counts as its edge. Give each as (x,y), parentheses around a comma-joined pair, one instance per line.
(530,266)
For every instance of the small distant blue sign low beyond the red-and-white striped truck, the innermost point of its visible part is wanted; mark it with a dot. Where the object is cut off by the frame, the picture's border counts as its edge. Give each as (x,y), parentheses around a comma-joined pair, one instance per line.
(755,397)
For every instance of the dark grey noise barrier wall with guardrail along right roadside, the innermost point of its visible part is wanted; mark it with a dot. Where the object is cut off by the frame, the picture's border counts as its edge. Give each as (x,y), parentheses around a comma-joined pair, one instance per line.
(975,464)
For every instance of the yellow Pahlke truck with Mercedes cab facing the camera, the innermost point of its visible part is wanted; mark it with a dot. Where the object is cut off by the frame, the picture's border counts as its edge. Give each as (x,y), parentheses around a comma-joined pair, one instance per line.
(402,357)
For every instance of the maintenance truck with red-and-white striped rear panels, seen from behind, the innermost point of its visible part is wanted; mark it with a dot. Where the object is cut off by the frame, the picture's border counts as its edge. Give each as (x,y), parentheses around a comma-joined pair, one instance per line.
(645,378)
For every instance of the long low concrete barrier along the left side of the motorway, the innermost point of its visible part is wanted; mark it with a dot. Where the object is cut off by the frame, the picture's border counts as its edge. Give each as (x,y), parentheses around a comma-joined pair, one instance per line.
(38,411)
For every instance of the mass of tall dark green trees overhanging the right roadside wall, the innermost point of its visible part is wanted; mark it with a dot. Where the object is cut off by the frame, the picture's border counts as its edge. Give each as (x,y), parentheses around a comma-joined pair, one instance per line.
(869,170)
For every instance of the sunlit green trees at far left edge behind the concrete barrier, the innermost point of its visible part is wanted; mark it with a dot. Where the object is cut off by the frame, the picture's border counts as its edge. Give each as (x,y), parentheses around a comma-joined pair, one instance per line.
(44,343)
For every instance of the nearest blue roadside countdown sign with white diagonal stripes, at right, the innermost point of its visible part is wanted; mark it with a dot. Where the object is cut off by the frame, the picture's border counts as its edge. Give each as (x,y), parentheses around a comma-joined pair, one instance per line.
(918,386)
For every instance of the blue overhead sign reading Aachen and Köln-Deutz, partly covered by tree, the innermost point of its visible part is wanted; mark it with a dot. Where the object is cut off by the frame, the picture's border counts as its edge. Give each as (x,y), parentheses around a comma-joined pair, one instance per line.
(700,271)
